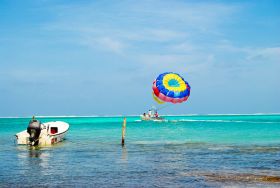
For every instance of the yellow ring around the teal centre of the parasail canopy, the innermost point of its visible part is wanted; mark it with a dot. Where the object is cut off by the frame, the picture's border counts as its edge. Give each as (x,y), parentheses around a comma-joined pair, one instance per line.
(182,86)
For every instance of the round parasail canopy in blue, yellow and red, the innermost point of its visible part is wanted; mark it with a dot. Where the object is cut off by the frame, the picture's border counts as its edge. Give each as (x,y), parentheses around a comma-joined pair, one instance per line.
(170,87)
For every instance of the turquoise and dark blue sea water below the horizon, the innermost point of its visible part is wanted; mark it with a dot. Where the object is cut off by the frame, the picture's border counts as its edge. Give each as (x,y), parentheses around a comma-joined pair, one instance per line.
(183,151)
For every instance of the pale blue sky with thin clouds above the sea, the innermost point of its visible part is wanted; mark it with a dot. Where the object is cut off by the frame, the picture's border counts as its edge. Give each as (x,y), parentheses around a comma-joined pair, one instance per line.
(100,57)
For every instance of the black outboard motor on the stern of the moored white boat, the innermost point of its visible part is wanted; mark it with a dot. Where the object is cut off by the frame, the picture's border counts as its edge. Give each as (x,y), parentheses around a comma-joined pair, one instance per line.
(34,130)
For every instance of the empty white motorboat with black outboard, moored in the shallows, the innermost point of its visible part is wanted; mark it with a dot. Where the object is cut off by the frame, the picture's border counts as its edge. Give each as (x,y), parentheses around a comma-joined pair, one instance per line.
(42,134)
